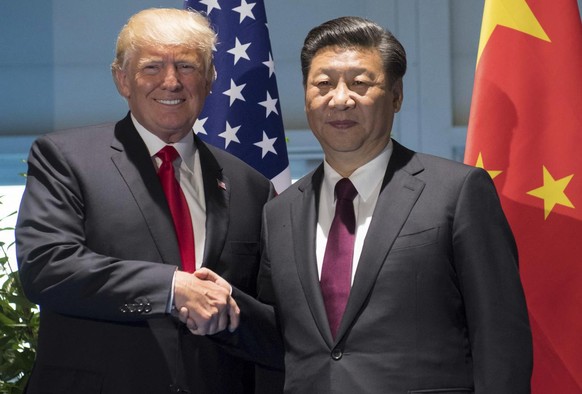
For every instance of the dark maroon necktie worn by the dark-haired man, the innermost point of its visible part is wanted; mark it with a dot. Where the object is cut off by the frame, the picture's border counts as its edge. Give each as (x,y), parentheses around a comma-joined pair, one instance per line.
(336,272)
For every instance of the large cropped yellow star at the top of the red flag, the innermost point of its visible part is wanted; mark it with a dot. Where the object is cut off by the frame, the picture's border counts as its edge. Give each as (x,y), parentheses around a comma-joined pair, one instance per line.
(514,14)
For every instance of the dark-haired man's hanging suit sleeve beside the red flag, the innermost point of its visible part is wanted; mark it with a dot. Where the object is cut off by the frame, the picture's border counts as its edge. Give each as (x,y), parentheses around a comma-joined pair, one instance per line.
(487,264)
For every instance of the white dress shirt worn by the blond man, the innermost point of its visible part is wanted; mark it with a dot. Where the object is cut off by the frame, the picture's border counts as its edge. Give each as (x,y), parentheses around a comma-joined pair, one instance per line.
(189,174)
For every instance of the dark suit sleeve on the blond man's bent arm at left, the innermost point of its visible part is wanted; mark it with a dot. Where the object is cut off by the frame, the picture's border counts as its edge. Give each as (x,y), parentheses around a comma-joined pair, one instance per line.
(57,269)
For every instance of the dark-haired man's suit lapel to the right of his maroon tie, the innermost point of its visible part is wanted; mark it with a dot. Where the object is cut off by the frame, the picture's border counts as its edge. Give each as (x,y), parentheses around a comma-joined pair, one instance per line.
(399,192)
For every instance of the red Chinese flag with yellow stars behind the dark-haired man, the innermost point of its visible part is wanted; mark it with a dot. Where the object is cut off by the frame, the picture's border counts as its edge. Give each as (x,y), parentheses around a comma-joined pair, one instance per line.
(525,129)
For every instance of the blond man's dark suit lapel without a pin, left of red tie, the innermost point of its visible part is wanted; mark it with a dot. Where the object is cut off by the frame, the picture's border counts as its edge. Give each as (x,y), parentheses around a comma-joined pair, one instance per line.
(135,166)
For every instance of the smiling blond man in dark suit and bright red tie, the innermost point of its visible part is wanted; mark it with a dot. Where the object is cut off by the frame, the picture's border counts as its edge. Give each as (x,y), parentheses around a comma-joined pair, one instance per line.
(96,243)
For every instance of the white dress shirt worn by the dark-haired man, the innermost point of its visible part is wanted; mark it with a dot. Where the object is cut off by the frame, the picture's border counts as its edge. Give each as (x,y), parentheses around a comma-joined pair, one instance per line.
(367,181)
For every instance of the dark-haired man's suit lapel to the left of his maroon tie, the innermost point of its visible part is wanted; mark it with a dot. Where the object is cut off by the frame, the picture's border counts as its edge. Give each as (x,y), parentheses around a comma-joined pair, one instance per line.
(304,223)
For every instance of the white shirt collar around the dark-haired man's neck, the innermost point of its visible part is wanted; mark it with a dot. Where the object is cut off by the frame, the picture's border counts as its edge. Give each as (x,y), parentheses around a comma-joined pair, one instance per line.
(366,178)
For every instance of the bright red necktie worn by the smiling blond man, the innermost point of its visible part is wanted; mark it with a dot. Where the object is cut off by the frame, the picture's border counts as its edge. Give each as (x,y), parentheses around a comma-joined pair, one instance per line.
(178,207)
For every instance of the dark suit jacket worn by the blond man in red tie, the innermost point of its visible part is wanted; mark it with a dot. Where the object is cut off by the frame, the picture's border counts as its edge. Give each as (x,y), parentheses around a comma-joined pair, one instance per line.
(97,251)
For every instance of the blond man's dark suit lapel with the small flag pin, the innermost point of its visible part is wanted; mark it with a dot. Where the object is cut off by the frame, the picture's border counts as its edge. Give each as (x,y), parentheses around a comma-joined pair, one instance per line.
(217,196)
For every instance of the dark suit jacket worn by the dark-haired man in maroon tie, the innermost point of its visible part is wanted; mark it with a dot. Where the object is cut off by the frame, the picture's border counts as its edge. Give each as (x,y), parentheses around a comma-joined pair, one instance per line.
(436,304)
